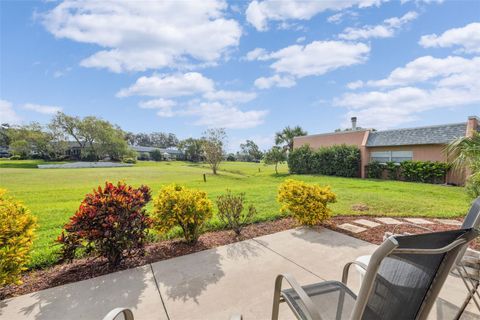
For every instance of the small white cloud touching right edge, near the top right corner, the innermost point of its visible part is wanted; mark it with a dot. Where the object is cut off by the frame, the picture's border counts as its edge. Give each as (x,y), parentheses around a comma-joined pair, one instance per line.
(467,37)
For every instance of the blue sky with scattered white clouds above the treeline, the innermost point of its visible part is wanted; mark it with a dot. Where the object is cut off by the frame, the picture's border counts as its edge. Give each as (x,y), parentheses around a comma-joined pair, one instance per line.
(251,67)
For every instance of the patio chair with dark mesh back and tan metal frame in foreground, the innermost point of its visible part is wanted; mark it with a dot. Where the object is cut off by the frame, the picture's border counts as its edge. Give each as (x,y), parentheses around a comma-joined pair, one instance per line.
(402,281)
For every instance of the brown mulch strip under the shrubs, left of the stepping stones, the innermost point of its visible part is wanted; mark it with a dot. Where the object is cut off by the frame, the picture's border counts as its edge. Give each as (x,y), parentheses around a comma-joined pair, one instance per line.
(82,269)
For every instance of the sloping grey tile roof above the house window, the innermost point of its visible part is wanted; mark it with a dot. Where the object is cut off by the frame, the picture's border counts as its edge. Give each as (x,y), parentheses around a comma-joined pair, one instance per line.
(440,134)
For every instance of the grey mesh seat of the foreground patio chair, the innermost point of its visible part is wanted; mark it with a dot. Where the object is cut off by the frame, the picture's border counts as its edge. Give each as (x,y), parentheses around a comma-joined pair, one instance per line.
(332,299)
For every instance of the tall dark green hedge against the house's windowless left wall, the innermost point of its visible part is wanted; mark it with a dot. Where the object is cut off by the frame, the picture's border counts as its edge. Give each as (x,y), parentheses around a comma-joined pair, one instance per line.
(339,160)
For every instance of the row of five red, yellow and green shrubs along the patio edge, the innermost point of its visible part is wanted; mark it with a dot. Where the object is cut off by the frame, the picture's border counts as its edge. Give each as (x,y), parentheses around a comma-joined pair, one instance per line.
(112,221)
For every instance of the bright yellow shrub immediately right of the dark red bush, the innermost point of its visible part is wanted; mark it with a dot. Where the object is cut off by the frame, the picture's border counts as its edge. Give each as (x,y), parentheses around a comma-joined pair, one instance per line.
(177,205)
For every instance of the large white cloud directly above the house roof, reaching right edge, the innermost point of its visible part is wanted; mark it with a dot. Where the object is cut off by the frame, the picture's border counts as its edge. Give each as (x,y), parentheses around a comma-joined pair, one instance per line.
(424,84)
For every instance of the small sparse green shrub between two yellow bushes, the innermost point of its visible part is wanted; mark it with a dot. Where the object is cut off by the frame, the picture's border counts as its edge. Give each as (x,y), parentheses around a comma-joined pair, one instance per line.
(231,211)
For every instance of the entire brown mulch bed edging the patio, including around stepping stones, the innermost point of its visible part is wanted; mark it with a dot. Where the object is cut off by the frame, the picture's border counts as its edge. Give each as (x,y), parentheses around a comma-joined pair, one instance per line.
(82,269)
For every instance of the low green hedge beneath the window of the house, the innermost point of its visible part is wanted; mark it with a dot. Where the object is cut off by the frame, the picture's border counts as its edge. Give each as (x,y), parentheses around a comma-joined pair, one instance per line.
(417,171)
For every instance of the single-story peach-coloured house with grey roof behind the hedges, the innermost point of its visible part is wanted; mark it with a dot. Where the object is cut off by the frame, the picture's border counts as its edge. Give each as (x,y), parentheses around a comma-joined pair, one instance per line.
(421,143)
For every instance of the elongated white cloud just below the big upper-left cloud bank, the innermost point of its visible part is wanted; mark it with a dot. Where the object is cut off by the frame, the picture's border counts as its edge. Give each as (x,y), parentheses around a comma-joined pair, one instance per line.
(167,86)
